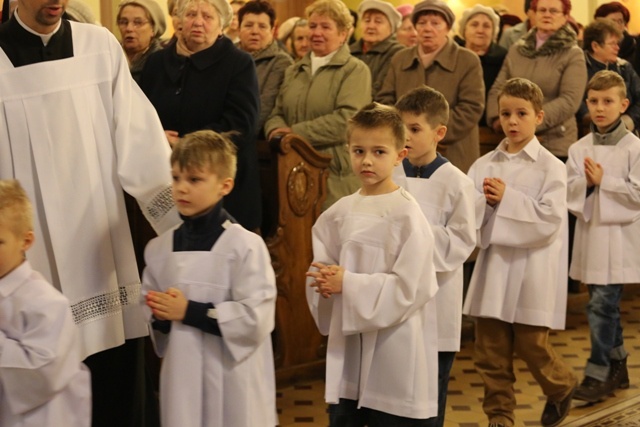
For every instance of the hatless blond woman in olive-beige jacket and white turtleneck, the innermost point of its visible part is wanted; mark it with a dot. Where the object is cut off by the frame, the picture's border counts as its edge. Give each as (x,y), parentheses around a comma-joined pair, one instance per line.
(322,91)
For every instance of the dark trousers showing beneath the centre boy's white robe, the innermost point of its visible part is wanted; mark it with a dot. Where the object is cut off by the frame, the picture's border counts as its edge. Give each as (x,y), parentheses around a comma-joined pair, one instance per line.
(347,414)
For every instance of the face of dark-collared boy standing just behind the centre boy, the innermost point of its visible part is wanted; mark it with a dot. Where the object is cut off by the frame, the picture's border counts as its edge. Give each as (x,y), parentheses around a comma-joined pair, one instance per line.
(422,139)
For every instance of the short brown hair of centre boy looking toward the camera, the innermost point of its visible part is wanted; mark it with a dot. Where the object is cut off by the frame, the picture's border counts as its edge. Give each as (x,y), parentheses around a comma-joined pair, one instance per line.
(375,116)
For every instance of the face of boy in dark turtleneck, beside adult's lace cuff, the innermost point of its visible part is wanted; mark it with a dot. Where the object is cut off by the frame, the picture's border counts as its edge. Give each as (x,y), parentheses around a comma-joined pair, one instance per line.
(195,191)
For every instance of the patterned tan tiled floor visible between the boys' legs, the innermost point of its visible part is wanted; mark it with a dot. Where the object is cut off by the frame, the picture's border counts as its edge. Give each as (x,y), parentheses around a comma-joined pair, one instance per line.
(303,405)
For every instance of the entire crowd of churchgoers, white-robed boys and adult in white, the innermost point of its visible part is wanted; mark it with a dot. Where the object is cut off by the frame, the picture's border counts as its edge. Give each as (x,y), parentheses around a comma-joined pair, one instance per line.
(105,144)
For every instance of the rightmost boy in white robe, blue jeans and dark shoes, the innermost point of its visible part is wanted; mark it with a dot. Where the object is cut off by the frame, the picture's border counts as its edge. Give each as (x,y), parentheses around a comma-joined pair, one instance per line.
(603,173)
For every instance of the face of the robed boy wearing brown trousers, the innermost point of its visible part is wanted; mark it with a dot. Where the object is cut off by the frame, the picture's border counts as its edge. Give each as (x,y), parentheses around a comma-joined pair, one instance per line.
(519,121)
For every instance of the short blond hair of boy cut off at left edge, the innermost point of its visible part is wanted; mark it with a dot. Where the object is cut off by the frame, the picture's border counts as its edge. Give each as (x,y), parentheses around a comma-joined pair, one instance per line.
(16,211)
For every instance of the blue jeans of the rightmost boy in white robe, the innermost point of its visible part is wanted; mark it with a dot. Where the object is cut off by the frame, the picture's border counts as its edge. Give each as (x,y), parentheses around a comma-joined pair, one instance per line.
(603,313)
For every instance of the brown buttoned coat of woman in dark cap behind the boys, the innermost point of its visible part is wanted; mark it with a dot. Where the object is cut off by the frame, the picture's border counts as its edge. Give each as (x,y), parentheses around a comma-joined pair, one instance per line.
(457,73)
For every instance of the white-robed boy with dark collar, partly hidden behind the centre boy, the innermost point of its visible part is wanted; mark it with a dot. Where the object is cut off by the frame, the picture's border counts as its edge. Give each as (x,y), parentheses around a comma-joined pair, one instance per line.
(447,198)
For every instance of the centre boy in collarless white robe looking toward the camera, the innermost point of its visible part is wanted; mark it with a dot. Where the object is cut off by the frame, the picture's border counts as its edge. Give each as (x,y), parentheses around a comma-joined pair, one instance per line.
(370,287)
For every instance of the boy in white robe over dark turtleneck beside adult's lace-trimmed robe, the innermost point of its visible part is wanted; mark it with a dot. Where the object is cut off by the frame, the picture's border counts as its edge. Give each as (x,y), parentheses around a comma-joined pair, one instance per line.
(212,292)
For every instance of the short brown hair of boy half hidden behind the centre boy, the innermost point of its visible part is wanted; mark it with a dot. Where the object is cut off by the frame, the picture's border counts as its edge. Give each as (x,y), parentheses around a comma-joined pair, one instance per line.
(427,101)
